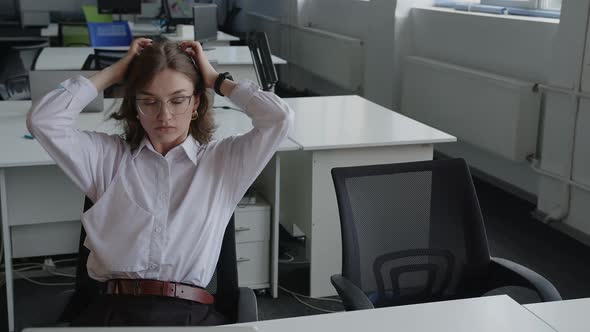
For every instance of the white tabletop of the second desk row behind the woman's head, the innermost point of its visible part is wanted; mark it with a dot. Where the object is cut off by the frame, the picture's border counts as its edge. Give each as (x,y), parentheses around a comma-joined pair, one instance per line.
(72,58)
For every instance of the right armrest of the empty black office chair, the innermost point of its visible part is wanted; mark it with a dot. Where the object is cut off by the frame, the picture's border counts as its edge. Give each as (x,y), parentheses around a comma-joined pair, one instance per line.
(508,273)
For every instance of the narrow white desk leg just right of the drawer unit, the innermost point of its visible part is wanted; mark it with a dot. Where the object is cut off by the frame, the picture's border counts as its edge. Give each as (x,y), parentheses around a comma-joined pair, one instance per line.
(268,184)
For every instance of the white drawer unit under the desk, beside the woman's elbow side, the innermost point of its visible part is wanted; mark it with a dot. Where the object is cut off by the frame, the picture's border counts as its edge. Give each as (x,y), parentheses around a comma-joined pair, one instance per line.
(253,226)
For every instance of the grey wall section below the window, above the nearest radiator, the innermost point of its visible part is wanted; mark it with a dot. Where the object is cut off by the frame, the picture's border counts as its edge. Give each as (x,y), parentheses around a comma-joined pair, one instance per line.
(516,47)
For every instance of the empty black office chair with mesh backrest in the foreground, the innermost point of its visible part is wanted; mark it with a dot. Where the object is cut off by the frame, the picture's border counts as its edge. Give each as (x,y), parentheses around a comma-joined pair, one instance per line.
(413,233)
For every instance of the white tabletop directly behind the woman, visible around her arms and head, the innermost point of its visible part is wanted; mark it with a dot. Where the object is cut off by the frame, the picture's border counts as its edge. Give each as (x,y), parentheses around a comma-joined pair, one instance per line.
(19,151)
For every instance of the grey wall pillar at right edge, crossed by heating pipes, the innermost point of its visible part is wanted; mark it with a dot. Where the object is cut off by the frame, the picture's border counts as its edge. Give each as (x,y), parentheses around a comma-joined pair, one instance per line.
(561,154)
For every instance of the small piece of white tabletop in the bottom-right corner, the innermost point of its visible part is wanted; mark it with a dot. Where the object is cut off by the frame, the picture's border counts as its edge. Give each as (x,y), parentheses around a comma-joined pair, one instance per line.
(564,316)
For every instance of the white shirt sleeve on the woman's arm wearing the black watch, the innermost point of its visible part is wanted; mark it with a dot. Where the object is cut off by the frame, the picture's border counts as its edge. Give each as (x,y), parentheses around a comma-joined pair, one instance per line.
(249,153)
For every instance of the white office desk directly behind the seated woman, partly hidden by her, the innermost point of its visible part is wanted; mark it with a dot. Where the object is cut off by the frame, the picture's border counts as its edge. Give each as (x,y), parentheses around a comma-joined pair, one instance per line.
(41,206)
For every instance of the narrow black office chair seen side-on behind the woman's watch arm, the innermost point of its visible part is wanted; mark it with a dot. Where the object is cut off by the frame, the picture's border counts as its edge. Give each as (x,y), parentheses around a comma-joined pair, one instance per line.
(262,59)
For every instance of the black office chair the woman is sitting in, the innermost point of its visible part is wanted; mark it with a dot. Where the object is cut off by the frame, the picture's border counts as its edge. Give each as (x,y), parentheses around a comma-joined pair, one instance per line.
(238,304)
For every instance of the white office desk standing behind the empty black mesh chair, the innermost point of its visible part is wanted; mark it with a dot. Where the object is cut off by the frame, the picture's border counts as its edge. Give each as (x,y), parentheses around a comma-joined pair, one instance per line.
(336,132)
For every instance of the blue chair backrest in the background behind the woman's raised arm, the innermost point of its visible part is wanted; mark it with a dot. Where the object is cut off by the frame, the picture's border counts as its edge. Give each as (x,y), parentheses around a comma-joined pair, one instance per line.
(109,34)
